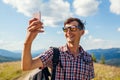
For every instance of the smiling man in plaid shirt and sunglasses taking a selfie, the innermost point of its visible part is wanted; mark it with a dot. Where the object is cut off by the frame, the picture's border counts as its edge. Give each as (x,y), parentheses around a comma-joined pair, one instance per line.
(76,63)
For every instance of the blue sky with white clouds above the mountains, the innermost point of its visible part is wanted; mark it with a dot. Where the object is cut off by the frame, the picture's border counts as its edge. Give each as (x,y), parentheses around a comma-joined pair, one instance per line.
(101,18)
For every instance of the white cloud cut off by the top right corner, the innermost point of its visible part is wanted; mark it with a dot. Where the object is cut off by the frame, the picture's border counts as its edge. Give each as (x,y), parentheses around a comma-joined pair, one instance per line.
(115,6)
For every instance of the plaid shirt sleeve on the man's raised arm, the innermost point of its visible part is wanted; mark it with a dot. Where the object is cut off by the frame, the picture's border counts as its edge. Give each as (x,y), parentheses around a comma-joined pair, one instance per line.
(46,58)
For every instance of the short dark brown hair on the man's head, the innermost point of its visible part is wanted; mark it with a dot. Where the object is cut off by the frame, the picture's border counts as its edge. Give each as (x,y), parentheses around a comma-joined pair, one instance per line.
(71,19)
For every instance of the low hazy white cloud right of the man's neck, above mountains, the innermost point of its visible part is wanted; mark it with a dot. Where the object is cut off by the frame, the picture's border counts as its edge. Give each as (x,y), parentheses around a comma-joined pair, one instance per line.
(89,42)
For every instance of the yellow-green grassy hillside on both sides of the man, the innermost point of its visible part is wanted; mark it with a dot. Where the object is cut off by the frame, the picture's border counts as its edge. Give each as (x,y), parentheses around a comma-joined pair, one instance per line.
(12,71)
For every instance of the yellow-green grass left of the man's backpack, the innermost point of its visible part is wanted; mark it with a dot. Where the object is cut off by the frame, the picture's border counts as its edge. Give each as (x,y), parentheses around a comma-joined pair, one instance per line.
(10,71)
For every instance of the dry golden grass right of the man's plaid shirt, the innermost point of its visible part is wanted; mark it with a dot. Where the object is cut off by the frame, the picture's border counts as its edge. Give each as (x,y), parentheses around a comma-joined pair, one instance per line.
(105,72)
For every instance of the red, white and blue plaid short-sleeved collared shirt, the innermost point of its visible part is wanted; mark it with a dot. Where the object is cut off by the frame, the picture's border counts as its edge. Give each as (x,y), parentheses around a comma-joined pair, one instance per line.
(73,68)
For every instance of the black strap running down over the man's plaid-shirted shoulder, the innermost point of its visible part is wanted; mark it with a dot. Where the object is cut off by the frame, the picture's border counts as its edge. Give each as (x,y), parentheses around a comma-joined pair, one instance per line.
(55,61)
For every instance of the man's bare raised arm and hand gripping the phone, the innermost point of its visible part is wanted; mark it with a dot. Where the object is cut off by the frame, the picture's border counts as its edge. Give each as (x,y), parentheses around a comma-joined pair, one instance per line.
(35,27)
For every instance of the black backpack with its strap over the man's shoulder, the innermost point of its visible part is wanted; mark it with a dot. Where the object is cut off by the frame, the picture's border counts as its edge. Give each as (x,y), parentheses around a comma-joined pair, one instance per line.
(45,74)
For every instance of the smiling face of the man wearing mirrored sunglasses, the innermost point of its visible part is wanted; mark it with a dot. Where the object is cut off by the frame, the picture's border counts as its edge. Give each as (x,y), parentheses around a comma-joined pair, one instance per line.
(75,35)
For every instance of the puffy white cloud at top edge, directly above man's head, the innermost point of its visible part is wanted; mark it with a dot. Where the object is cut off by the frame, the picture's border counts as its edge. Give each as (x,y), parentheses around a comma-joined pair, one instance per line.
(85,7)
